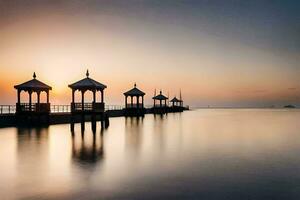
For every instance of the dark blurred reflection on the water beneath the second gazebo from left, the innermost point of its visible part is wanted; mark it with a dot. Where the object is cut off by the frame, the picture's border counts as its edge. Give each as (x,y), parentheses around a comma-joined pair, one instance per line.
(88,149)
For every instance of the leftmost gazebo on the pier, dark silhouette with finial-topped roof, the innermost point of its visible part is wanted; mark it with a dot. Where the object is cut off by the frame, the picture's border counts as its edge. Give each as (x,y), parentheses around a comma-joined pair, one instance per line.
(33,86)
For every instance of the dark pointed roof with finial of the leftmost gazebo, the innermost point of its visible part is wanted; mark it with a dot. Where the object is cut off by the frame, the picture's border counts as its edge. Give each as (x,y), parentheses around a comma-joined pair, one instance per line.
(33,85)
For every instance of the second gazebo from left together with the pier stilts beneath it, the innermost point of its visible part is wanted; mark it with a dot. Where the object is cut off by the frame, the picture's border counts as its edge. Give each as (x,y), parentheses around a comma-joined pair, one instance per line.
(95,109)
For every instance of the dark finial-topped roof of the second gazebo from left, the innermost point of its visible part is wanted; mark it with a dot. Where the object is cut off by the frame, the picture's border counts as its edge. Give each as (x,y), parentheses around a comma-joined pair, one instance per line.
(87,83)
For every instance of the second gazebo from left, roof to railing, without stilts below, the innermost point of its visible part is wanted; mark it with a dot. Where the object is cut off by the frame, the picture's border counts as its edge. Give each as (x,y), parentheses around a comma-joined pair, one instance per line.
(87,84)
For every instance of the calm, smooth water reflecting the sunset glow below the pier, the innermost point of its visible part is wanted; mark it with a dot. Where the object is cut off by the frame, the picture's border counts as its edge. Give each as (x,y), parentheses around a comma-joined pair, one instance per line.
(202,154)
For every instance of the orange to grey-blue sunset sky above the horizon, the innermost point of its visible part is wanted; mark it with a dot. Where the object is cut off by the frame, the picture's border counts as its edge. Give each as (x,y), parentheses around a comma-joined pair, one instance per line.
(217,52)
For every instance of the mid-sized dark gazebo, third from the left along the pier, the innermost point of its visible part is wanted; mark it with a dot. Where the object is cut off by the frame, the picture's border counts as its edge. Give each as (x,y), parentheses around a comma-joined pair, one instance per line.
(134,93)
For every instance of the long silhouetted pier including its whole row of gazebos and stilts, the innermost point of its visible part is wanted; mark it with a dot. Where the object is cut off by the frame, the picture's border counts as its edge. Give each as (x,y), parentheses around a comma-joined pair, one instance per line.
(44,114)
